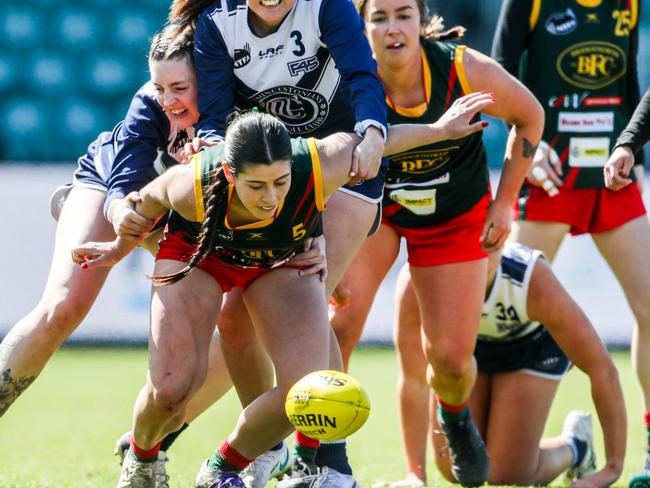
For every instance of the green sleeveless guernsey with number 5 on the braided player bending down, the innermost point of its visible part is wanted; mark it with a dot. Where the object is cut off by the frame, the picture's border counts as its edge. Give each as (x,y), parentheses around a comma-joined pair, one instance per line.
(267,243)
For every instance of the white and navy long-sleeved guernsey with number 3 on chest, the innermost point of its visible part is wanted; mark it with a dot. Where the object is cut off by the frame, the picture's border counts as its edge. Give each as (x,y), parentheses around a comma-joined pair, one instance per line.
(315,73)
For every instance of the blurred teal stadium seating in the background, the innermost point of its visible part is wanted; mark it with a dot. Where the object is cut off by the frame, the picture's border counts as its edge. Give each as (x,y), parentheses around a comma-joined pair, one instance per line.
(68,68)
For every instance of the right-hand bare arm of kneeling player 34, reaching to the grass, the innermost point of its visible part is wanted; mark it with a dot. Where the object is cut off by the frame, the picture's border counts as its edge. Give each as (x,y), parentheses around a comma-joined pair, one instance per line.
(549,303)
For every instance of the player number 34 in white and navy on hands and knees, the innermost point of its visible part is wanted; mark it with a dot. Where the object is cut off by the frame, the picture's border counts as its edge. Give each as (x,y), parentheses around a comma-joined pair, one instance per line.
(520,364)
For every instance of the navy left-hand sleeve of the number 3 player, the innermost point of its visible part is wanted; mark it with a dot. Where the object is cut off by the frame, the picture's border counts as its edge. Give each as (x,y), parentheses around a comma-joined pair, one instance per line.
(214,76)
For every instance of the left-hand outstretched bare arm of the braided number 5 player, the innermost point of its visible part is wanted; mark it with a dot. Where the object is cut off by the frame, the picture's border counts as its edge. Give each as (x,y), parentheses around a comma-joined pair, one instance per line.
(173,190)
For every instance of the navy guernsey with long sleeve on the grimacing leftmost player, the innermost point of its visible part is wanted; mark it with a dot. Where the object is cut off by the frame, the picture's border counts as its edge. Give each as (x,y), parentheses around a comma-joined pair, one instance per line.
(139,148)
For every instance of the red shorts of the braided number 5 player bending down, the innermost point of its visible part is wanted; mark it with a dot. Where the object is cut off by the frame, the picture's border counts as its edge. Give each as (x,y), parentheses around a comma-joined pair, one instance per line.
(229,276)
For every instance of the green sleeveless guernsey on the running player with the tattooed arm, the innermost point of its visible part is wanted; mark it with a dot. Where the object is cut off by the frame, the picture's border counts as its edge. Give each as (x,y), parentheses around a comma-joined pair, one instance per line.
(435,183)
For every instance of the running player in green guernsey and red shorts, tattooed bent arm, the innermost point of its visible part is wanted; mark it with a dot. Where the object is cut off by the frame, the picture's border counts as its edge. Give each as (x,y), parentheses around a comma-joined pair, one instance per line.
(438,198)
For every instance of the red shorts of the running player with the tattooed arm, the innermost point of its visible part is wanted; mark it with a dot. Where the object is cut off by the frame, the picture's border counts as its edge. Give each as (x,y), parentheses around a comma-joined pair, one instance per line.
(453,241)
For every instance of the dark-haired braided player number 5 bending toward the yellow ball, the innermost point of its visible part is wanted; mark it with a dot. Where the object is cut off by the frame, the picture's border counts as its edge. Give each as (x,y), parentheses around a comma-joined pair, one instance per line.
(258,197)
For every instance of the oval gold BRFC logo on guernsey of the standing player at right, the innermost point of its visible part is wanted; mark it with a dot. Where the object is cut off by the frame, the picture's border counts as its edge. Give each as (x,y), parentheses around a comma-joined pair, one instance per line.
(592,64)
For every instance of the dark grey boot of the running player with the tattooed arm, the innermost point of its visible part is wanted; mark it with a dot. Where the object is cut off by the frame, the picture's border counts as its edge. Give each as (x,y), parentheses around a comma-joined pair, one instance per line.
(467,453)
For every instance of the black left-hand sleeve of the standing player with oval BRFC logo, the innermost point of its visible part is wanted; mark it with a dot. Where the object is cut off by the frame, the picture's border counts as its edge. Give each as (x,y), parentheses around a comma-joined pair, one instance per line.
(512,34)
